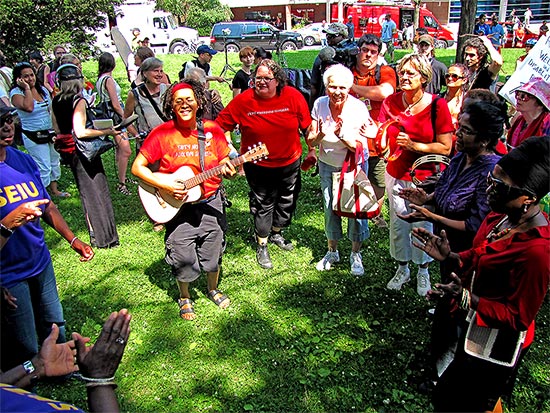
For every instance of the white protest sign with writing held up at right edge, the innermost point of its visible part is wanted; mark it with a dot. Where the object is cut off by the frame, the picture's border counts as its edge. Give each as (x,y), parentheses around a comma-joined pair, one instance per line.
(536,64)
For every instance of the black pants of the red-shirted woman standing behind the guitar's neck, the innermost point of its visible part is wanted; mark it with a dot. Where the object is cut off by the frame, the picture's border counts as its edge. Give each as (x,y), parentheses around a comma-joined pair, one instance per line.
(273,195)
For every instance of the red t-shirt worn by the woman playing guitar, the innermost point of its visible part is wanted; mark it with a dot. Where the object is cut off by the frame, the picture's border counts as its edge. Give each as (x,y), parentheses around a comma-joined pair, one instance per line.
(176,147)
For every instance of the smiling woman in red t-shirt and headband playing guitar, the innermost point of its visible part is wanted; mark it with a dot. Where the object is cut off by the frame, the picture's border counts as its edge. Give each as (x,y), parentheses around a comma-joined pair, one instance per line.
(194,237)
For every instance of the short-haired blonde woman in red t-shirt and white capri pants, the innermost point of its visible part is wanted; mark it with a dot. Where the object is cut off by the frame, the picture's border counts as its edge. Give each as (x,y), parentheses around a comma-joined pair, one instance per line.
(423,125)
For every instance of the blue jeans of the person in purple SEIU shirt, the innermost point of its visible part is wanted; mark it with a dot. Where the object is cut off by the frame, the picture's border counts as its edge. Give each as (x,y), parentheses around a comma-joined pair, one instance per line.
(38,306)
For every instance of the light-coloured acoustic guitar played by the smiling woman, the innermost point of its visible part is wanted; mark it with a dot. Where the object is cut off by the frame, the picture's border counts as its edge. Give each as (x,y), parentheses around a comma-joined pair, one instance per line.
(162,207)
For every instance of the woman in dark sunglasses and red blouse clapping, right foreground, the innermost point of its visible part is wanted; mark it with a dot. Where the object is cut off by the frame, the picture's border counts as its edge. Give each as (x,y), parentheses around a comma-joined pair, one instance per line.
(503,280)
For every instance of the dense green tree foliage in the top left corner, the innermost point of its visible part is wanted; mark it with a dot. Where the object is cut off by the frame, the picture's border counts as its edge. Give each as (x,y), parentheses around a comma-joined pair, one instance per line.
(28,25)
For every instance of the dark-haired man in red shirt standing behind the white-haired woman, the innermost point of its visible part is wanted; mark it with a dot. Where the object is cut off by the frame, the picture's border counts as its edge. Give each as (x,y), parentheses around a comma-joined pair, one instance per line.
(373,83)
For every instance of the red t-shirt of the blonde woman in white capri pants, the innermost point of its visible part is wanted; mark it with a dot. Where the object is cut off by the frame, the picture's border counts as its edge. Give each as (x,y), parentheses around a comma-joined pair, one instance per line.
(418,127)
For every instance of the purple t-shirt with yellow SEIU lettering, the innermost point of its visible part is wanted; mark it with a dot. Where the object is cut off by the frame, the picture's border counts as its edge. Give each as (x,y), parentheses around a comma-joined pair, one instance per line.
(25,254)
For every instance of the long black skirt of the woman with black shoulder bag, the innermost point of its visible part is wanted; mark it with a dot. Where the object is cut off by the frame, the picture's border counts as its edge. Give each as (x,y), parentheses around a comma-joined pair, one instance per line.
(96,201)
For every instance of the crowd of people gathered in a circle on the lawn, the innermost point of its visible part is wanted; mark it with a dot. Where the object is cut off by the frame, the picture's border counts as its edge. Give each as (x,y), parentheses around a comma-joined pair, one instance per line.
(479,216)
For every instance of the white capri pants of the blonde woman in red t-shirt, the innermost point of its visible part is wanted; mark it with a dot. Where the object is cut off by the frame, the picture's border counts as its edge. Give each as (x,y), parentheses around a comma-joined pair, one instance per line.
(401,248)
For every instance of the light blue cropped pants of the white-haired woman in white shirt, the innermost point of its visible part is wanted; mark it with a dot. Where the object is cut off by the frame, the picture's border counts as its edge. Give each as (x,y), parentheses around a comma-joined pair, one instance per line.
(358,229)
